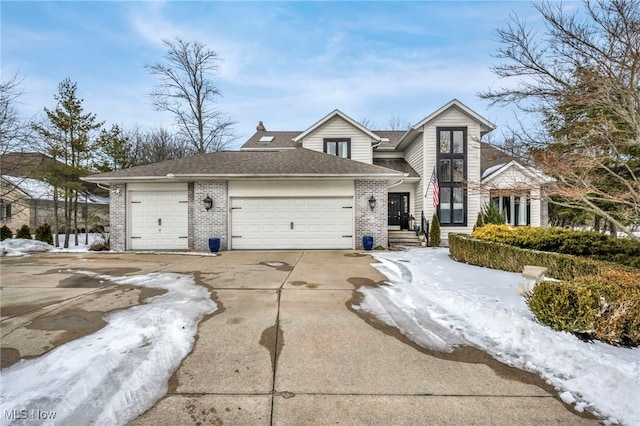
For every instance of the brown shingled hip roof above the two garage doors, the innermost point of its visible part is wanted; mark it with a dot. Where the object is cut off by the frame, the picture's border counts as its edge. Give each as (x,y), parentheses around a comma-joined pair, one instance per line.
(298,162)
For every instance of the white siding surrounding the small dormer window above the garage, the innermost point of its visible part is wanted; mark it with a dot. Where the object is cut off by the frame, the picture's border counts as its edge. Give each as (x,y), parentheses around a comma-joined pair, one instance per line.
(337,127)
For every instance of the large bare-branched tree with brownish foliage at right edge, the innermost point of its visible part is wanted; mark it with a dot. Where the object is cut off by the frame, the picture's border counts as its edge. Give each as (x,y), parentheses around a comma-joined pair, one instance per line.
(582,82)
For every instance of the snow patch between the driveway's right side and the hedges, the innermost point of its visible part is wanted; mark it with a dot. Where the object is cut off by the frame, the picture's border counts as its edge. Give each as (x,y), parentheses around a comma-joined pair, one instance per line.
(439,304)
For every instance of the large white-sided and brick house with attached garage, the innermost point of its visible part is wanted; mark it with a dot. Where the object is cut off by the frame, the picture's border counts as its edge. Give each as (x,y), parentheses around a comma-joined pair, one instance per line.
(325,187)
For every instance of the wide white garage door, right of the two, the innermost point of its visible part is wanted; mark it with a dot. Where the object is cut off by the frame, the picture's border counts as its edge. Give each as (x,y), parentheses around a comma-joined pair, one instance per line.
(292,223)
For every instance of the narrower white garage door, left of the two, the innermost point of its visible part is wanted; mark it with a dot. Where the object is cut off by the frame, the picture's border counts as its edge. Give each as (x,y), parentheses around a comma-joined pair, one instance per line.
(159,220)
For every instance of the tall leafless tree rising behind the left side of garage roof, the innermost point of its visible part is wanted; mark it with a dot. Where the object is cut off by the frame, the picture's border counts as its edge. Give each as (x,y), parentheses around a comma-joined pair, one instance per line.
(189,91)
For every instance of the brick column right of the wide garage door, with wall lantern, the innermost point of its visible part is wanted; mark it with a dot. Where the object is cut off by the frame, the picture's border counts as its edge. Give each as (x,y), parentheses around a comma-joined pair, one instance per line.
(371,223)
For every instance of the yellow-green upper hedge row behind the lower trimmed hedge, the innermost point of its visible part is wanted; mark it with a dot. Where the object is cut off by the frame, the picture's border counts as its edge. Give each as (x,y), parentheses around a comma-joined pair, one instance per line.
(567,241)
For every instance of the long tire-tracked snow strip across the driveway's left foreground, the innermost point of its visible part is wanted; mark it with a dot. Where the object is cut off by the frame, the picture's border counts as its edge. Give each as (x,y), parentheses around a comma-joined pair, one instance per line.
(115,374)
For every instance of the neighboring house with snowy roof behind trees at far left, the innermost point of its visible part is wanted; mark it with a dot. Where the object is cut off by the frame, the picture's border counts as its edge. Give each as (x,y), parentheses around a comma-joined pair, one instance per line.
(28,201)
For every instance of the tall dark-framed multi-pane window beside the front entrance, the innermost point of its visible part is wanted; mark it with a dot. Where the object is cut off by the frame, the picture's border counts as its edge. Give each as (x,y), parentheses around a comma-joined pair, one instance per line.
(452,173)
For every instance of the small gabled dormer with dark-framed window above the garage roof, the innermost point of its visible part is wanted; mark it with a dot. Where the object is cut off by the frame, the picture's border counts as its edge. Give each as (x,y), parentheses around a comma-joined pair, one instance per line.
(340,135)
